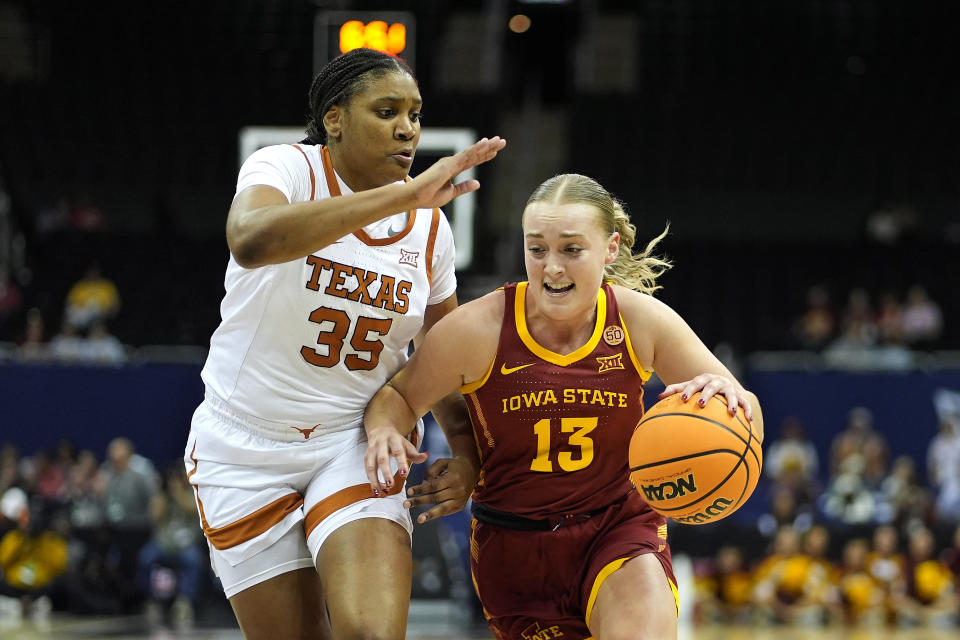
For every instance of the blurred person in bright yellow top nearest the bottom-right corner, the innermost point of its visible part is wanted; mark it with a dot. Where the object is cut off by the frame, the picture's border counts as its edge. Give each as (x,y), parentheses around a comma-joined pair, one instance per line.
(931,597)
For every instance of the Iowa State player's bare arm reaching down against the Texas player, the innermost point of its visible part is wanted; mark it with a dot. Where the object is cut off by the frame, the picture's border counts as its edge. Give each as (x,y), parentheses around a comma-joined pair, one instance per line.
(456,351)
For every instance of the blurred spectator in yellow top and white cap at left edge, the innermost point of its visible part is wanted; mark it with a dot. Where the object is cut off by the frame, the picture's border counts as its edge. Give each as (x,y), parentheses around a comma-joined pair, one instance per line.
(31,559)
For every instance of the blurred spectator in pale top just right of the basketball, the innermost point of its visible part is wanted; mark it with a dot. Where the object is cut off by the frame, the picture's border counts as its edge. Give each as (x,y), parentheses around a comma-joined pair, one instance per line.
(791,461)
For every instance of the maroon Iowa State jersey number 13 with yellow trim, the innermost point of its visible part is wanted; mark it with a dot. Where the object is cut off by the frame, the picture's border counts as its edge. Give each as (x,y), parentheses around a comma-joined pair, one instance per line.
(553,431)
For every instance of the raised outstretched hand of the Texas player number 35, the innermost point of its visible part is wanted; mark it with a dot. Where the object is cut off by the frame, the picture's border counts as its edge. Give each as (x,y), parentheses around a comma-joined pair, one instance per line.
(435,187)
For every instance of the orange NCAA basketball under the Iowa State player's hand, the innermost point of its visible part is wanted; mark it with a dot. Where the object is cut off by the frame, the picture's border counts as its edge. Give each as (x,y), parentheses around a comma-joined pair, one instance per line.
(694,465)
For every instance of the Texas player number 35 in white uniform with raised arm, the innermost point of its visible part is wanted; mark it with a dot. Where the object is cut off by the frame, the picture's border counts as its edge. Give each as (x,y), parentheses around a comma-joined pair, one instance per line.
(336,265)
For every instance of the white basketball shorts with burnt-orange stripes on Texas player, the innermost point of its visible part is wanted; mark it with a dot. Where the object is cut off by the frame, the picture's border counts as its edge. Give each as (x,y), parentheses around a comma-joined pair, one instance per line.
(267,501)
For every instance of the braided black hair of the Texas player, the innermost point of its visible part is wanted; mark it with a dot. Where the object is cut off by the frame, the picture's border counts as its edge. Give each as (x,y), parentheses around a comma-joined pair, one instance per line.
(340,79)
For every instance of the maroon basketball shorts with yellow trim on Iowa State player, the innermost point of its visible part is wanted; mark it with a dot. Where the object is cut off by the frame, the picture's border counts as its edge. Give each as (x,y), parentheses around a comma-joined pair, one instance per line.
(536,585)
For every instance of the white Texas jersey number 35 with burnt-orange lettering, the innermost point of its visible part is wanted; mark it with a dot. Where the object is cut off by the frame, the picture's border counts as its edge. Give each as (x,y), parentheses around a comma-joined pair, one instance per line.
(308,342)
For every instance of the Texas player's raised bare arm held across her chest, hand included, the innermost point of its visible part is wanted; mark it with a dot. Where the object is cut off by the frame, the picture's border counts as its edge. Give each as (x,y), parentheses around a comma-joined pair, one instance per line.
(263,227)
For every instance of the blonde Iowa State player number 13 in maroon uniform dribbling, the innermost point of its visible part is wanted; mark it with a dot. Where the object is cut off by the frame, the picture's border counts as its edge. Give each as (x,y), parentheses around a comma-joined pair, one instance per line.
(562,545)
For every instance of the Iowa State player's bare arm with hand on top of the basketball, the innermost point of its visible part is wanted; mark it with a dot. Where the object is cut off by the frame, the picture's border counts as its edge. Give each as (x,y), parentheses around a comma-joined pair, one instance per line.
(682,361)
